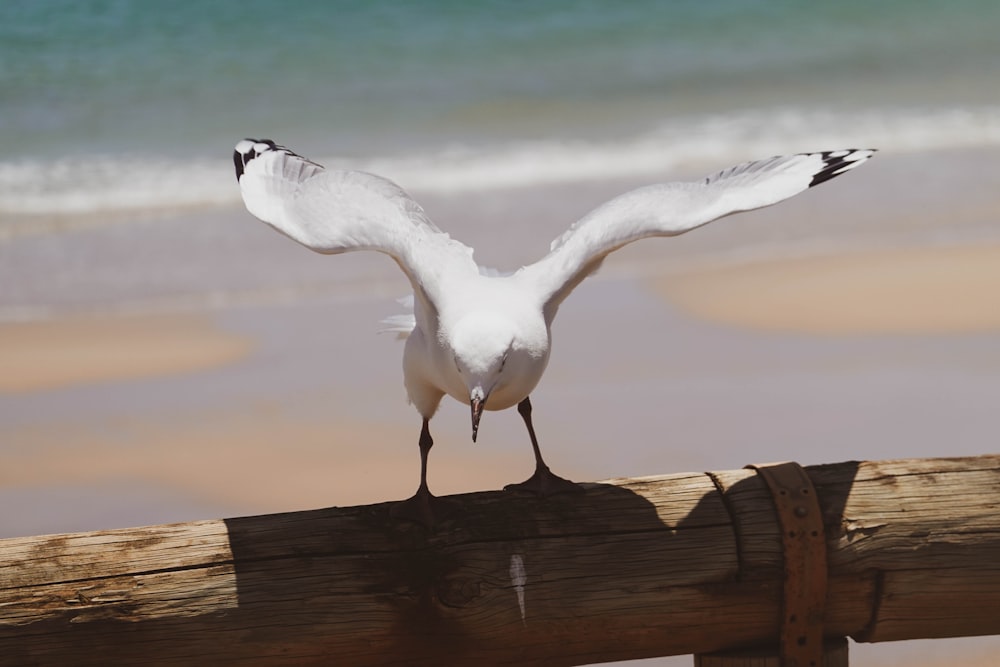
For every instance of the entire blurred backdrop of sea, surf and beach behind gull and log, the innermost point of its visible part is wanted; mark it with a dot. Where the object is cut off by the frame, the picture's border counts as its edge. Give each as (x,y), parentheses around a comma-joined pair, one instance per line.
(166,357)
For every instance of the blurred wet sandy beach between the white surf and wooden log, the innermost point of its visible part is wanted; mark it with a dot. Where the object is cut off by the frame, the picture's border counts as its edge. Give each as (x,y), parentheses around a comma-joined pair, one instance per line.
(123,405)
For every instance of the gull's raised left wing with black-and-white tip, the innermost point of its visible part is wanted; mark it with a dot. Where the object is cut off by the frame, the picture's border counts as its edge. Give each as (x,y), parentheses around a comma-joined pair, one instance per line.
(334,211)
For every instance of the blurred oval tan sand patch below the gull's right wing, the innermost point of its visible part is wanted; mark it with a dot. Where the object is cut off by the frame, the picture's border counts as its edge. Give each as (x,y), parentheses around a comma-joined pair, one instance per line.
(912,291)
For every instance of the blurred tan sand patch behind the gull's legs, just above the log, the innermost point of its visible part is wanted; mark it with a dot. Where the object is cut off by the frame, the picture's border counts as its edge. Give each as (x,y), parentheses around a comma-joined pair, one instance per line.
(253,461)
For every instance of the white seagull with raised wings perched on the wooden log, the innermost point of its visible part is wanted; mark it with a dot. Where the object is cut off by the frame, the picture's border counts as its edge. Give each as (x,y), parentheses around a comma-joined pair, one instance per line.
(481,337)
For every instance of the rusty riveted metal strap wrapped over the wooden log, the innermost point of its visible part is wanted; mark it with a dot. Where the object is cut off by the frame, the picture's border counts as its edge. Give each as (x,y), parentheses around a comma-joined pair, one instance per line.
(805,562)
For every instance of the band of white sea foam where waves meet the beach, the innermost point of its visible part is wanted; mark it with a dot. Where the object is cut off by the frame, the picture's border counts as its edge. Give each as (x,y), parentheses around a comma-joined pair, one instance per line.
(108,184)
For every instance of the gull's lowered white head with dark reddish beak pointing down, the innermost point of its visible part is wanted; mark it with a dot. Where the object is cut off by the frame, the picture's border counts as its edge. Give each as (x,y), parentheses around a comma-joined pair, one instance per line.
(485,354)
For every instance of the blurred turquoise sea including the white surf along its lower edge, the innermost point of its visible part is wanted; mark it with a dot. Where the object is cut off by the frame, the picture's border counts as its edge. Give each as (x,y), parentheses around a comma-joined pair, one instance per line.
(112,106)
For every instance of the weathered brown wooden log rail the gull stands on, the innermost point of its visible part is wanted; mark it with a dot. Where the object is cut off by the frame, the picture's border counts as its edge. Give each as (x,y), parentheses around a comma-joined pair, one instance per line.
(633,568)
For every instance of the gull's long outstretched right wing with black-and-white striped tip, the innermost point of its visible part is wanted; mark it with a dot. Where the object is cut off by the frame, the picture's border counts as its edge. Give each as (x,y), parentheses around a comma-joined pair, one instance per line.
(669,209)
